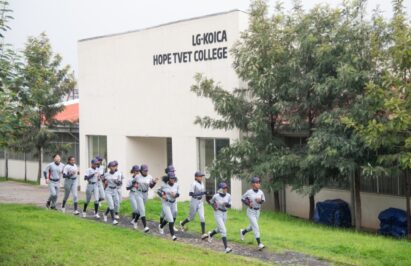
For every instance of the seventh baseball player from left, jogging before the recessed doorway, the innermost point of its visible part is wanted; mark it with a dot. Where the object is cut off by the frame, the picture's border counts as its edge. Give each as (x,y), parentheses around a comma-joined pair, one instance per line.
(144,183)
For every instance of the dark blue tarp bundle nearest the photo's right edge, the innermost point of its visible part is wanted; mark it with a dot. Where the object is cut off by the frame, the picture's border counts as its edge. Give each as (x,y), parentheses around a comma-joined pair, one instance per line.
(393,222)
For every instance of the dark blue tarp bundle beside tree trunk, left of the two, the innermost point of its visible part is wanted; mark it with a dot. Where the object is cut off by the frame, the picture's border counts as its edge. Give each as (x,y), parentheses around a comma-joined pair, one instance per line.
(333,212)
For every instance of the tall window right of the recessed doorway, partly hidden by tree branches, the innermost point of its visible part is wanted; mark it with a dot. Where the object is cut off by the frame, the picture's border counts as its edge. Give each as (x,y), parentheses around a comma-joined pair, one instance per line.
(208,150)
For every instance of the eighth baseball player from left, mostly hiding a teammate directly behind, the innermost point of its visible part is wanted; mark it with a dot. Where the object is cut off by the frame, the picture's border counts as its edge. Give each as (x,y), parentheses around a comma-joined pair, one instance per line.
(169,192)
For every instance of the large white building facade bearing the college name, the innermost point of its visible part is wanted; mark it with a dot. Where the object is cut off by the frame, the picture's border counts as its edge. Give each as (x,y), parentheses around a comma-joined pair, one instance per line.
(125,96)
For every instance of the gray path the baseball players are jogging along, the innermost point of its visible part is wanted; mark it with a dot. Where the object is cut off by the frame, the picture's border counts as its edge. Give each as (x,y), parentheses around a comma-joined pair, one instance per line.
(14,192)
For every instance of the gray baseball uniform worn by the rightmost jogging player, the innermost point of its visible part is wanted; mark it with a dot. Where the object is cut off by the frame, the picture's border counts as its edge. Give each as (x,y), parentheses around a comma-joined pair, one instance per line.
(253,211)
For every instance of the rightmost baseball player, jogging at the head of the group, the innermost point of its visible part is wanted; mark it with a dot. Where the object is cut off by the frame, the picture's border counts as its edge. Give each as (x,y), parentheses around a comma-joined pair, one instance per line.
(253,199)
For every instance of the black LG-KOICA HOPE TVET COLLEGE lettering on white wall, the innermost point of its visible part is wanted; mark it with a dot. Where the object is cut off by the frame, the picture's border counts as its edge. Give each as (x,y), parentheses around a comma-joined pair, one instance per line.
(197,55)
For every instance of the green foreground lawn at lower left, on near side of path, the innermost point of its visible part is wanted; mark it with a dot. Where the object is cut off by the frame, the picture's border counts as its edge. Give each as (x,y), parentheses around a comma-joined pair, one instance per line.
(34,236)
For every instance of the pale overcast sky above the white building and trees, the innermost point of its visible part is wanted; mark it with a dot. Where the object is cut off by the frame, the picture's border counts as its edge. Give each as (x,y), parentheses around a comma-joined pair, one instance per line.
(67,21)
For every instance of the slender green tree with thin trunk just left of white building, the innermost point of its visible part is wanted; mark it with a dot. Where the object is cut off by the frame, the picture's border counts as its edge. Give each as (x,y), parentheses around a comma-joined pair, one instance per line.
(46,82)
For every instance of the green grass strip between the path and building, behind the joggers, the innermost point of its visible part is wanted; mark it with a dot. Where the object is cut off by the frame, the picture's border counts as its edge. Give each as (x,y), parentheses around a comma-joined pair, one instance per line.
(282,232)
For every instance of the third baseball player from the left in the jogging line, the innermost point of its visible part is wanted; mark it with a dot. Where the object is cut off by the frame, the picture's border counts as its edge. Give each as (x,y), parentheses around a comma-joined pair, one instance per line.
(91,176)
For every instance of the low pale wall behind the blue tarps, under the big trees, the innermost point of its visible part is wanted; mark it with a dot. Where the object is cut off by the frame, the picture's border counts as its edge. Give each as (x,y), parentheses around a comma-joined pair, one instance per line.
(371,204)
